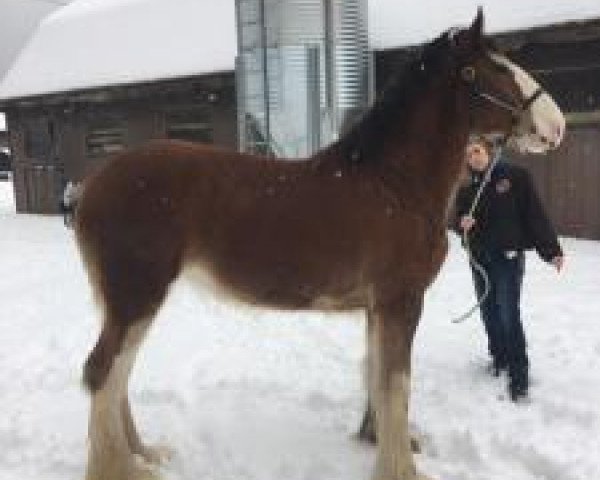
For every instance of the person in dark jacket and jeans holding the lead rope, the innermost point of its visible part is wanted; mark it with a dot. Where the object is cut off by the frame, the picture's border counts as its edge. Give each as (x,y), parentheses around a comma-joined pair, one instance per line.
(508,220)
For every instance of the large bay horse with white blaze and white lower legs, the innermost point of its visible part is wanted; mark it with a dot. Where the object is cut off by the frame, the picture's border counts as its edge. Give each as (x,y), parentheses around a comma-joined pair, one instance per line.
(359,225)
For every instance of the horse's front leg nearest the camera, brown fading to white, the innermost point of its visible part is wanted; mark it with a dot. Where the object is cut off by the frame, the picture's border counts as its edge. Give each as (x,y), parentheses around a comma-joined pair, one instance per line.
(391,334)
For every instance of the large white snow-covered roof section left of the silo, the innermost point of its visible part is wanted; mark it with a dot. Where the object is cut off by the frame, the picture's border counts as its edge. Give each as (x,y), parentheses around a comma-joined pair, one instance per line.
(93,43)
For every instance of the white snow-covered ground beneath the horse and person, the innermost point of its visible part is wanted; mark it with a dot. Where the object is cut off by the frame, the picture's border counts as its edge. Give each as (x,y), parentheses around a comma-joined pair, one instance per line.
(248,395)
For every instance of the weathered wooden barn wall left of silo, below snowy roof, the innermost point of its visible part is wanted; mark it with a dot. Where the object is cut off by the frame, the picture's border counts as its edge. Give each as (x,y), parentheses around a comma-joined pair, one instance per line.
(66,123)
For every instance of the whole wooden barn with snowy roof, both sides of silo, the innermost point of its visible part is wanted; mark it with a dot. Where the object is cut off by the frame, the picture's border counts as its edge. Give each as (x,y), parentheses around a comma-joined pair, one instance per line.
(98,93)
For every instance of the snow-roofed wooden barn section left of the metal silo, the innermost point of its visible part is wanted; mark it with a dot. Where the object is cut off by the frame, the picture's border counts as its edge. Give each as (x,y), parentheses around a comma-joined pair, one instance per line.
(89,84)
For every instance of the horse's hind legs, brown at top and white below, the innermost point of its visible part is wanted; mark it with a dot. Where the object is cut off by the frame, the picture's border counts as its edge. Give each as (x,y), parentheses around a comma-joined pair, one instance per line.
(131,291)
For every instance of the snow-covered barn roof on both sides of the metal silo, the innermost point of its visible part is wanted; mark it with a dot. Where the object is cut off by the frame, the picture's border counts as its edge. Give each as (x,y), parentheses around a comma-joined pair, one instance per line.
(95,43)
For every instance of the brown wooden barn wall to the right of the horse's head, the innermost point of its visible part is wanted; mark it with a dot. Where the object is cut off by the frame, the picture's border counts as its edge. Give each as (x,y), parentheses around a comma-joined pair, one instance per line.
(569,178)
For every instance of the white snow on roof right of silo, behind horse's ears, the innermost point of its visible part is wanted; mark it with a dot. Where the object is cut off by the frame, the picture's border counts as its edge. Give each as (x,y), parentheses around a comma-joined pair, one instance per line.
(396,23)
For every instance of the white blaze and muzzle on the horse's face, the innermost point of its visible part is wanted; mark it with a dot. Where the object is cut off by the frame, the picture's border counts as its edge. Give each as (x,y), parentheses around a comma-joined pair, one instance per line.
(545,116)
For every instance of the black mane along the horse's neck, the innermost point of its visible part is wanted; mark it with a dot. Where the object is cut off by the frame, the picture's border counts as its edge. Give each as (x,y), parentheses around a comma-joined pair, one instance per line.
(363,142)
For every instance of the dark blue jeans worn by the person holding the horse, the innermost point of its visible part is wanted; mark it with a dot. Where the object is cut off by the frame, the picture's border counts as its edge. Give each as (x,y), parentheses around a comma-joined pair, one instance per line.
(501,313)
